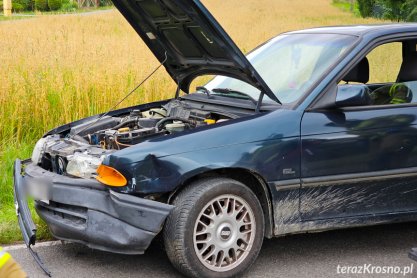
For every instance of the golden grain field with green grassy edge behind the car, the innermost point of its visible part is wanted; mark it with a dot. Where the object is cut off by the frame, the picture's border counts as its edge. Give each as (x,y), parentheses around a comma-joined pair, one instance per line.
(56,69)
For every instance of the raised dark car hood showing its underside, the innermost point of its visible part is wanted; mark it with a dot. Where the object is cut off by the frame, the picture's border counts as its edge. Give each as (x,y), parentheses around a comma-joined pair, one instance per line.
(193,40)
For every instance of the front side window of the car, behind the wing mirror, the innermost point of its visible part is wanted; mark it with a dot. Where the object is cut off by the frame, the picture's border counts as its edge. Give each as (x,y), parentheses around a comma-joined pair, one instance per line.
(389,73)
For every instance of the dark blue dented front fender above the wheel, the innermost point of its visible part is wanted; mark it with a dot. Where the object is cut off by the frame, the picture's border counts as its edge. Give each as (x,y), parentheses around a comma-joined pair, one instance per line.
(265,144)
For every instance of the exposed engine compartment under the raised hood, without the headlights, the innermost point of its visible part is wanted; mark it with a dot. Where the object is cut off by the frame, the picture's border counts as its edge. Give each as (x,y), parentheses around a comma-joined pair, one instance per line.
(115,133)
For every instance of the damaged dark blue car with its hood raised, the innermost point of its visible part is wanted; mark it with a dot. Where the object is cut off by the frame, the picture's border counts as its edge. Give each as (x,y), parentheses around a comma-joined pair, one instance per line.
(295,137)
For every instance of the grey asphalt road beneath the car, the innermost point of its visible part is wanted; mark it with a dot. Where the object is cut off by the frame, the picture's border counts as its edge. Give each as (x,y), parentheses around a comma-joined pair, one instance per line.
(307,255)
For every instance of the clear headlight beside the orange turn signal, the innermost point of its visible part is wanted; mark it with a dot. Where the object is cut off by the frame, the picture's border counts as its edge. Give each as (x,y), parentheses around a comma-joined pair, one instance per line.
(83,165)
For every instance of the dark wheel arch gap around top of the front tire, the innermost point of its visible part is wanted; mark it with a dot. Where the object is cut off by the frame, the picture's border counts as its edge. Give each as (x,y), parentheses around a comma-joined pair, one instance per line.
(253,180)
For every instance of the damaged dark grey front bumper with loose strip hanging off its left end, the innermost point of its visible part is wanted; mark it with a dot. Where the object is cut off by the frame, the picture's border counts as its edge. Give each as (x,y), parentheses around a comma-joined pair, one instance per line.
(84,211)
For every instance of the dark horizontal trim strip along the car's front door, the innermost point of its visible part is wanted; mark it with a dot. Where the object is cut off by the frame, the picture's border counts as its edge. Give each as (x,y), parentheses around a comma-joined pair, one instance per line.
(359,177)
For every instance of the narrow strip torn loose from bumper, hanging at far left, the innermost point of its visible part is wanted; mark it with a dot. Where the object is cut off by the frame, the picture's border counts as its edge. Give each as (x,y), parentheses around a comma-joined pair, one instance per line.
(27,227)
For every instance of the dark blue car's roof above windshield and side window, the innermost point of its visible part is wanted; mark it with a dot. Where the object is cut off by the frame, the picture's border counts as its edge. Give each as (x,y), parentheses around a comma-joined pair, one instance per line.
(362,30)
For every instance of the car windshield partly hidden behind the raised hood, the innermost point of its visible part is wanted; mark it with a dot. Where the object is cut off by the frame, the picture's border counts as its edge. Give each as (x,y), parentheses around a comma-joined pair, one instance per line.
(289,64)
